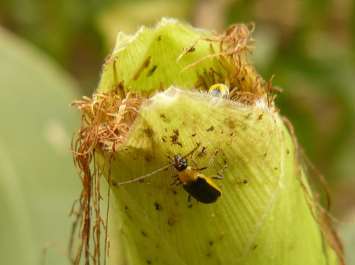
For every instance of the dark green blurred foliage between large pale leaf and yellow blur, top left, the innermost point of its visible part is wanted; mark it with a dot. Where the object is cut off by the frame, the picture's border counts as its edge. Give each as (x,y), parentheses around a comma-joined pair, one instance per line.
(64,29)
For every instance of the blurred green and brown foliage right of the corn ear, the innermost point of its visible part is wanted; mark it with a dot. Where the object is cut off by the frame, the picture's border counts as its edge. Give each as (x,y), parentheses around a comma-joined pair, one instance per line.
(308,47)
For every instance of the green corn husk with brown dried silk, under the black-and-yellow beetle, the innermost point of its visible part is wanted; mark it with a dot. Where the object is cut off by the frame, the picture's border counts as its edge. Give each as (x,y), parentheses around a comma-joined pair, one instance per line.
(266,214)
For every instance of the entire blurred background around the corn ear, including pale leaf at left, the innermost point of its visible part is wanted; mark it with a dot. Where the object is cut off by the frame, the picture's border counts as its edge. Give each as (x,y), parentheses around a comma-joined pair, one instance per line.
(52,51)
